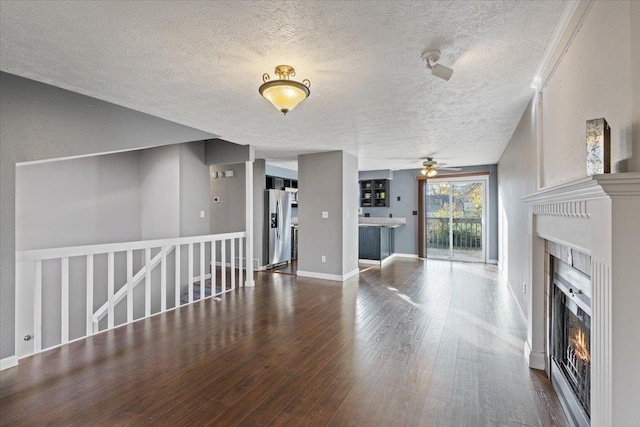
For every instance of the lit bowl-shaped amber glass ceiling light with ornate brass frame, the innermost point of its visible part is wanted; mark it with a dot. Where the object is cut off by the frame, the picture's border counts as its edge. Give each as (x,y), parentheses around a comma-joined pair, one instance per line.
(284,93)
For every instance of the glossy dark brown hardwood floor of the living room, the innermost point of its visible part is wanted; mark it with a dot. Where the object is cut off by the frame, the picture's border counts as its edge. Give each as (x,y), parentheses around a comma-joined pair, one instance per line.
(416,343)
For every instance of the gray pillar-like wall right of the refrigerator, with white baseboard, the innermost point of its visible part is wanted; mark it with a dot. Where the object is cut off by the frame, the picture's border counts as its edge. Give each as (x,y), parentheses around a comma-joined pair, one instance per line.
(323,180)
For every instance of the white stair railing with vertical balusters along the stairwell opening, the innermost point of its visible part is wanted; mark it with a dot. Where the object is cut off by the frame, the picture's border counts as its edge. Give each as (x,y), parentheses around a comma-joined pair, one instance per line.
(31,284)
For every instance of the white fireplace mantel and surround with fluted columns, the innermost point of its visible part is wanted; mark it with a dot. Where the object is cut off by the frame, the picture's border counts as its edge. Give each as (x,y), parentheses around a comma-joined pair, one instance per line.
(599,216)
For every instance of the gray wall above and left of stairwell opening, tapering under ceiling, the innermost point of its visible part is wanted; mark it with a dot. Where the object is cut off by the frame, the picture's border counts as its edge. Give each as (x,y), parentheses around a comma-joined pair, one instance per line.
(38,122)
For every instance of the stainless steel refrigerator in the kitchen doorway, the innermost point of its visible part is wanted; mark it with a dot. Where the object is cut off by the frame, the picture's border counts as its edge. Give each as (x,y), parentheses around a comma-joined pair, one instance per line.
(278,204)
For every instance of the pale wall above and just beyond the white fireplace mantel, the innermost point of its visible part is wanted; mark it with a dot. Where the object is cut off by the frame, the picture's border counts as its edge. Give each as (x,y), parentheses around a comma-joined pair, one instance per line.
(578,91)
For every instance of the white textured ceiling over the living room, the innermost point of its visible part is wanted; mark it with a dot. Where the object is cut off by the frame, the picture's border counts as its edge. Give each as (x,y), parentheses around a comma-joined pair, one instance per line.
(200,64)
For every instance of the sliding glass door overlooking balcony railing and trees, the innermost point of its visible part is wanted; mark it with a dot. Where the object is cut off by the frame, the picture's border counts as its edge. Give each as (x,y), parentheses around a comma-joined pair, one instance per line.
(455,218)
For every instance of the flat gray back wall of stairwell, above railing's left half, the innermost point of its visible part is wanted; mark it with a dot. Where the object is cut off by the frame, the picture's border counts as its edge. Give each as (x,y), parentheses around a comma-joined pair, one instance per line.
(75,202)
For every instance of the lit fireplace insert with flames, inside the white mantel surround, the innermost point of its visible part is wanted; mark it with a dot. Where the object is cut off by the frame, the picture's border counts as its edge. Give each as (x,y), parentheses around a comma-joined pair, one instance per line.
(570,340)
